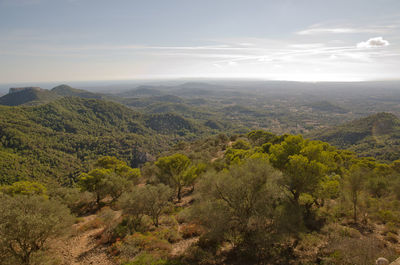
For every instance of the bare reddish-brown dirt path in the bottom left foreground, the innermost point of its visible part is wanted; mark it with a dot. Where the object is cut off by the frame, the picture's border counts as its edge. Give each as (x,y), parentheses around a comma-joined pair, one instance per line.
(81,248)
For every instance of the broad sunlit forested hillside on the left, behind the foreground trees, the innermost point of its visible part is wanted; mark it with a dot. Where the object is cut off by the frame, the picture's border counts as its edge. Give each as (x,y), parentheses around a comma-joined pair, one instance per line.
(59,139)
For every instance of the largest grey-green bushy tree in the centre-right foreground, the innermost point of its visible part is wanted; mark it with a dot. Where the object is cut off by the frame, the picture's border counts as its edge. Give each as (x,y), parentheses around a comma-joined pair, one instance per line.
(240,205)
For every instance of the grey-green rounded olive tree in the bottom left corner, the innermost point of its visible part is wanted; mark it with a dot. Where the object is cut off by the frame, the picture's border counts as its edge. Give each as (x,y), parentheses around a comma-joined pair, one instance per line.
(27,222)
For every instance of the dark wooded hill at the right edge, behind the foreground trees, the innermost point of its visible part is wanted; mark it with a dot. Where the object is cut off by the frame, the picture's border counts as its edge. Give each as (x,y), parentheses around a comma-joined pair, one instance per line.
(377,135)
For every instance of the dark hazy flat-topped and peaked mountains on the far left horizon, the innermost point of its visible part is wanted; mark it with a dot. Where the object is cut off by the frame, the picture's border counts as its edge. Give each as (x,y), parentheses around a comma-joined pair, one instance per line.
(37,95)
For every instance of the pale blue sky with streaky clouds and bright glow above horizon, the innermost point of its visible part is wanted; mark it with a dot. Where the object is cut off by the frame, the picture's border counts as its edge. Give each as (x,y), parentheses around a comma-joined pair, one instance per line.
(297,40)
